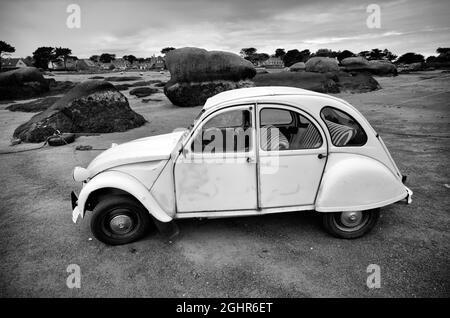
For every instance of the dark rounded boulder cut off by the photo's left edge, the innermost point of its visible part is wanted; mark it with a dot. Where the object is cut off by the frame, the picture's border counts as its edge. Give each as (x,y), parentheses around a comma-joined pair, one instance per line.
(22,83)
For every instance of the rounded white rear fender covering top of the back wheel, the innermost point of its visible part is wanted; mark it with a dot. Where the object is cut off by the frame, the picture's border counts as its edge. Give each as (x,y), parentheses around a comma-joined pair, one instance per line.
(355,182)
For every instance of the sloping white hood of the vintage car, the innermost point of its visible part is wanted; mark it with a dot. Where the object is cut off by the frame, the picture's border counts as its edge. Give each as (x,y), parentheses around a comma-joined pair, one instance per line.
(140,150)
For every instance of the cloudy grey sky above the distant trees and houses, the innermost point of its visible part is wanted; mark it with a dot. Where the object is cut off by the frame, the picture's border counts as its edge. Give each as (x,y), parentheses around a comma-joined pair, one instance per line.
(143,27)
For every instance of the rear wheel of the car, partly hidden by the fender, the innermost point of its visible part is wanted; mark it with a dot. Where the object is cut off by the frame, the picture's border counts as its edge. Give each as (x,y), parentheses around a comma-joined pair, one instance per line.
(352,224)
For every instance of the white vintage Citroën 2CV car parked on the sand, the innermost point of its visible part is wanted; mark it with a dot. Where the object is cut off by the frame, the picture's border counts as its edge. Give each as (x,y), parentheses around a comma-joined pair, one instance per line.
(251,151)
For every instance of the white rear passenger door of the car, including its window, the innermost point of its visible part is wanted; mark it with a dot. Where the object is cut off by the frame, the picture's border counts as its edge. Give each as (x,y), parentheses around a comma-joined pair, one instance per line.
(292,152)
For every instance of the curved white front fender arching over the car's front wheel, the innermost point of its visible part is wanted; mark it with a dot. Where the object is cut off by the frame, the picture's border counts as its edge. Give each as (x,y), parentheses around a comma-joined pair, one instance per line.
(127,183)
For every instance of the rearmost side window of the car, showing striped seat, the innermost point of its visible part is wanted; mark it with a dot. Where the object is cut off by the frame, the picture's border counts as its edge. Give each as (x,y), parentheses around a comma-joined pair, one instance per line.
(344,130)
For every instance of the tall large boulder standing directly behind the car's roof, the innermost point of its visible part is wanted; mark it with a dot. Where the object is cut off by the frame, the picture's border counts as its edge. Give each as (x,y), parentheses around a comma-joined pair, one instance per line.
(197,74)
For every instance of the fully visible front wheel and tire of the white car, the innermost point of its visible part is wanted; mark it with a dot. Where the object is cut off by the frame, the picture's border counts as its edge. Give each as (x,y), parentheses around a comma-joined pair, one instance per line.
(118,220)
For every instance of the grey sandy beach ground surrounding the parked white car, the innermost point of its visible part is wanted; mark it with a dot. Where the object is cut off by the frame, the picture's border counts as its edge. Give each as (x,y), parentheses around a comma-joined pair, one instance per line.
(270,256)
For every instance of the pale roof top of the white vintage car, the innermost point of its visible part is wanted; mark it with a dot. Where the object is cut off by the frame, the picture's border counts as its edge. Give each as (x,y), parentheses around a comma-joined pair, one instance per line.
(255,92)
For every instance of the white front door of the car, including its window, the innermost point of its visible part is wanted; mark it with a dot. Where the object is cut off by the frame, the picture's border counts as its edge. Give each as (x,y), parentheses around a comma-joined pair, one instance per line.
(217,170)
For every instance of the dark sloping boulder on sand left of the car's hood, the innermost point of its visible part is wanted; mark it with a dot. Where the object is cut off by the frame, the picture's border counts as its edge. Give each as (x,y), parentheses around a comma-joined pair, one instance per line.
(90,107)
